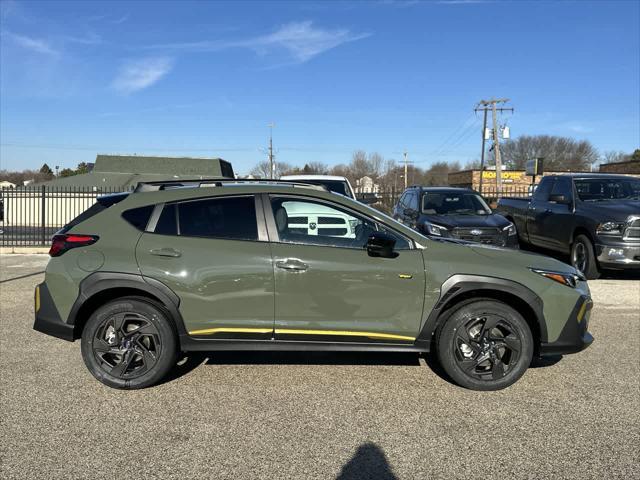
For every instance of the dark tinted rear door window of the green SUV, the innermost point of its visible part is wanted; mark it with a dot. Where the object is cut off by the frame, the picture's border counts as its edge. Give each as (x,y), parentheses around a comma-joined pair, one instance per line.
(232,218)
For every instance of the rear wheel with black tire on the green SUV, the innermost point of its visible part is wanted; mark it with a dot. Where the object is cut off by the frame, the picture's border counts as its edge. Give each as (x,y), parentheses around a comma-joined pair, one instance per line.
(129,343)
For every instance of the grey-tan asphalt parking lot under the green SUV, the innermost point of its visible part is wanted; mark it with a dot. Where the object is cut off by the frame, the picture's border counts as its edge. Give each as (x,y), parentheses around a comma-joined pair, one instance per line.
(317,416)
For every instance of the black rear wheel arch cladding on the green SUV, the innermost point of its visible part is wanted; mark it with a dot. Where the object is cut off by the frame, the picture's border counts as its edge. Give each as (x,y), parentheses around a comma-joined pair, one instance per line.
(102,287)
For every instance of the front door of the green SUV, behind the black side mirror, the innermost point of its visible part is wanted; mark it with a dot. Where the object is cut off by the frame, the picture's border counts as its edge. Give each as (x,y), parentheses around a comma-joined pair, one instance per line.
(329,289)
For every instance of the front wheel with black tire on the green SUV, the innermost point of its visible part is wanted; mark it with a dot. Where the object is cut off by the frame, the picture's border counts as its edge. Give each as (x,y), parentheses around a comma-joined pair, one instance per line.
(499,345)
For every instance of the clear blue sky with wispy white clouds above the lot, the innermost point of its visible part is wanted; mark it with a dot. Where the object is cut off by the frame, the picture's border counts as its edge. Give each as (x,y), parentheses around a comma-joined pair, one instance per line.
(205,78)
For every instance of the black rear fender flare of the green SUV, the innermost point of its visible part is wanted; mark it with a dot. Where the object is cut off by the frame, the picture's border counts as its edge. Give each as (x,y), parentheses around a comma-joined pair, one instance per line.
(99,282)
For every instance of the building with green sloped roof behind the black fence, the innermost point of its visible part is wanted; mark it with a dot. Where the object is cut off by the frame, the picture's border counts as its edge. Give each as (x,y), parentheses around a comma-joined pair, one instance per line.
(126,171)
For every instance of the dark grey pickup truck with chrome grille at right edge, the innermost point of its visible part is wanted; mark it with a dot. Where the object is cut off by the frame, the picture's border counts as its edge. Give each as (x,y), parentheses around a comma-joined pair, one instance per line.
(595,218)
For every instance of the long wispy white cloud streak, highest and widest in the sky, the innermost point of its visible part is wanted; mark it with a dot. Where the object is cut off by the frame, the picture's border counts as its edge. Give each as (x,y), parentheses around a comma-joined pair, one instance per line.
(301,40)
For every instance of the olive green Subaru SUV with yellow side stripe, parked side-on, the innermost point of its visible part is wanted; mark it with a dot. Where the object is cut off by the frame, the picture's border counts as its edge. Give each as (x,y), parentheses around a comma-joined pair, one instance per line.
(231,265)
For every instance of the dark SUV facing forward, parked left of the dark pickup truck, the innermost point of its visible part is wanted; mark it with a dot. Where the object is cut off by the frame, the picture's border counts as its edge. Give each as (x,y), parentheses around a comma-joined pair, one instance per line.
(445,212)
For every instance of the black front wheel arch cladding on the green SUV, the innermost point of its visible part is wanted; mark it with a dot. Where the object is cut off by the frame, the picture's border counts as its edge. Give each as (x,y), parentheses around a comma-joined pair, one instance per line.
(459,290)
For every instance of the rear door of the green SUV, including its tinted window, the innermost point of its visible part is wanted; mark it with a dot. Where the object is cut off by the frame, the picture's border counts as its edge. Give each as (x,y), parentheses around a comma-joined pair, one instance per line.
(213,253)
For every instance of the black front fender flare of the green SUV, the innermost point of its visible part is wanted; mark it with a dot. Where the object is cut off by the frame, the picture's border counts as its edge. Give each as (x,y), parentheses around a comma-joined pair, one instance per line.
(458,285)
